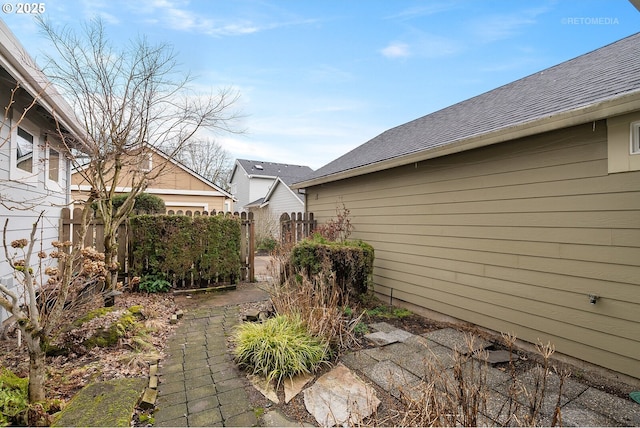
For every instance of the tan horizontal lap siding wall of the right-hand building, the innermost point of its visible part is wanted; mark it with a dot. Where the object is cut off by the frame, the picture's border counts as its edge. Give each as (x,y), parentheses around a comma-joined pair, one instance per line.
(512,237)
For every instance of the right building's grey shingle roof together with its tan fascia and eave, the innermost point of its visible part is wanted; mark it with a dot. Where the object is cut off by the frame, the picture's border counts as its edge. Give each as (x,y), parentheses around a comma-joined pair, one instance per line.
(592,86)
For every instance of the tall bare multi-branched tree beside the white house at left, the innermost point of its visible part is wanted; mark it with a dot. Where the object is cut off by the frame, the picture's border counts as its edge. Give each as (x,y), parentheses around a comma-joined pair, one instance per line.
(130,100)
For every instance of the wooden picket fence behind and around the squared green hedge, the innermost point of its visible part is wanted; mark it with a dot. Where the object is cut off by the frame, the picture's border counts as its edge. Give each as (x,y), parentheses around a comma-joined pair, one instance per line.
(70,231)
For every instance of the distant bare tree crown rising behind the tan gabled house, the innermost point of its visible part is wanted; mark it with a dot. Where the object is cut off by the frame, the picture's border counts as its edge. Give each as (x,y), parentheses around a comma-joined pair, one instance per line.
(209,159)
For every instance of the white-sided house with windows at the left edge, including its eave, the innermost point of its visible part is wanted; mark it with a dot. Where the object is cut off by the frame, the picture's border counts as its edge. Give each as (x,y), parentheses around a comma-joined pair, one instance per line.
(34,170)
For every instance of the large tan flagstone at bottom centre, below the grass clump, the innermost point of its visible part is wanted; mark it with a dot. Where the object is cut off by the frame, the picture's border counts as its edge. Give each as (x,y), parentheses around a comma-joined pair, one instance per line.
(340,398)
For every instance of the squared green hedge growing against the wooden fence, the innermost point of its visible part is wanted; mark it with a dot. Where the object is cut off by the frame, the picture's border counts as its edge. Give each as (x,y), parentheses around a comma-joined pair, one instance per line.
(187,251)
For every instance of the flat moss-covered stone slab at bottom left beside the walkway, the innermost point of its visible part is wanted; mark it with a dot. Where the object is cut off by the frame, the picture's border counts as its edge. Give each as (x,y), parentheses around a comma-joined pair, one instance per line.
(102,404)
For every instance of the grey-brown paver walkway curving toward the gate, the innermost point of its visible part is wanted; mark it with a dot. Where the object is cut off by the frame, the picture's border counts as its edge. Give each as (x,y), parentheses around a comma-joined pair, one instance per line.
(200,384)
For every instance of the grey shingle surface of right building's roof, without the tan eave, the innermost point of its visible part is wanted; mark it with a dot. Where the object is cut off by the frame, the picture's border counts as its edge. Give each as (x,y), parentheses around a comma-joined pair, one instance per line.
(600,75)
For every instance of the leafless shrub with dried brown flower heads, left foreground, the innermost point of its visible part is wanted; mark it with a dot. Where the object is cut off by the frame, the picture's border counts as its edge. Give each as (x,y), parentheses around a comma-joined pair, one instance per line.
(40,306)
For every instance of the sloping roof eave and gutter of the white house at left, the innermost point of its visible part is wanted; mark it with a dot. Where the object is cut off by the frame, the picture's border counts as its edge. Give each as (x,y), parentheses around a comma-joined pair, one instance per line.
(23,69)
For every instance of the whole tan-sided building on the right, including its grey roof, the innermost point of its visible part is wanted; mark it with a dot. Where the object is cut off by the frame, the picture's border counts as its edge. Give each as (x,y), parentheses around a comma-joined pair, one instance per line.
(530,225)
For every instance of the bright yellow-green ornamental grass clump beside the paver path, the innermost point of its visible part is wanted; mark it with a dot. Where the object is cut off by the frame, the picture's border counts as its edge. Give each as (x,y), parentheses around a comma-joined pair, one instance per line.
(278,348)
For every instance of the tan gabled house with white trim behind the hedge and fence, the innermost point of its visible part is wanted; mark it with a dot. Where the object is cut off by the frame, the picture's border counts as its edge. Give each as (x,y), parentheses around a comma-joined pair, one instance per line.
(182,189)
